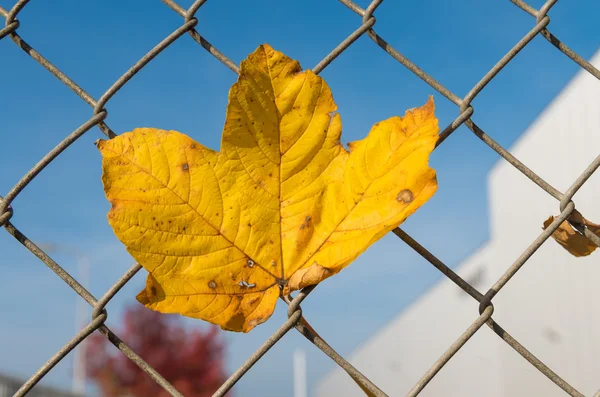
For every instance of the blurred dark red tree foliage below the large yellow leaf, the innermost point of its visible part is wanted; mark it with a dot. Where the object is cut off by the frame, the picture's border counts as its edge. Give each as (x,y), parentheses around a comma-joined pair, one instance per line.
(192,361)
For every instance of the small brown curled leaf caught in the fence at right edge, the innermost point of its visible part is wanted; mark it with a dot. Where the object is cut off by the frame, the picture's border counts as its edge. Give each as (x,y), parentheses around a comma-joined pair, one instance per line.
(570,239)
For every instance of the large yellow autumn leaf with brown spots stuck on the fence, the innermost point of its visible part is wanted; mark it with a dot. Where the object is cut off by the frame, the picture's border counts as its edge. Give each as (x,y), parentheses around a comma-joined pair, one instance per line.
(282,206)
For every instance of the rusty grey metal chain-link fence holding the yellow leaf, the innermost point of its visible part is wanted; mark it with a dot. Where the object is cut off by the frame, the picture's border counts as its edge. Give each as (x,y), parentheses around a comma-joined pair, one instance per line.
(540,21)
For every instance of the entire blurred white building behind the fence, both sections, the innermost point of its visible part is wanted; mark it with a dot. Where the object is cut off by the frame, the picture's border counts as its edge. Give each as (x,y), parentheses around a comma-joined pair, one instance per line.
(551,306)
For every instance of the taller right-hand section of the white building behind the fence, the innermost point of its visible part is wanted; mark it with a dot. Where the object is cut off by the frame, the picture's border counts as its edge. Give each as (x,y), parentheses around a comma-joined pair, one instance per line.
(550,304)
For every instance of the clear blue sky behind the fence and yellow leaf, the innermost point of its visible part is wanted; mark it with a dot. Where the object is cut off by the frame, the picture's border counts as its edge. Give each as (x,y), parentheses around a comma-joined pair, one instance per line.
(185,89)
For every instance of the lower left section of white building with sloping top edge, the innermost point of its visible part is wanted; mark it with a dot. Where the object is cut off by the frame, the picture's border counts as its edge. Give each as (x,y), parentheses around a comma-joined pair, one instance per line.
(397,357)
